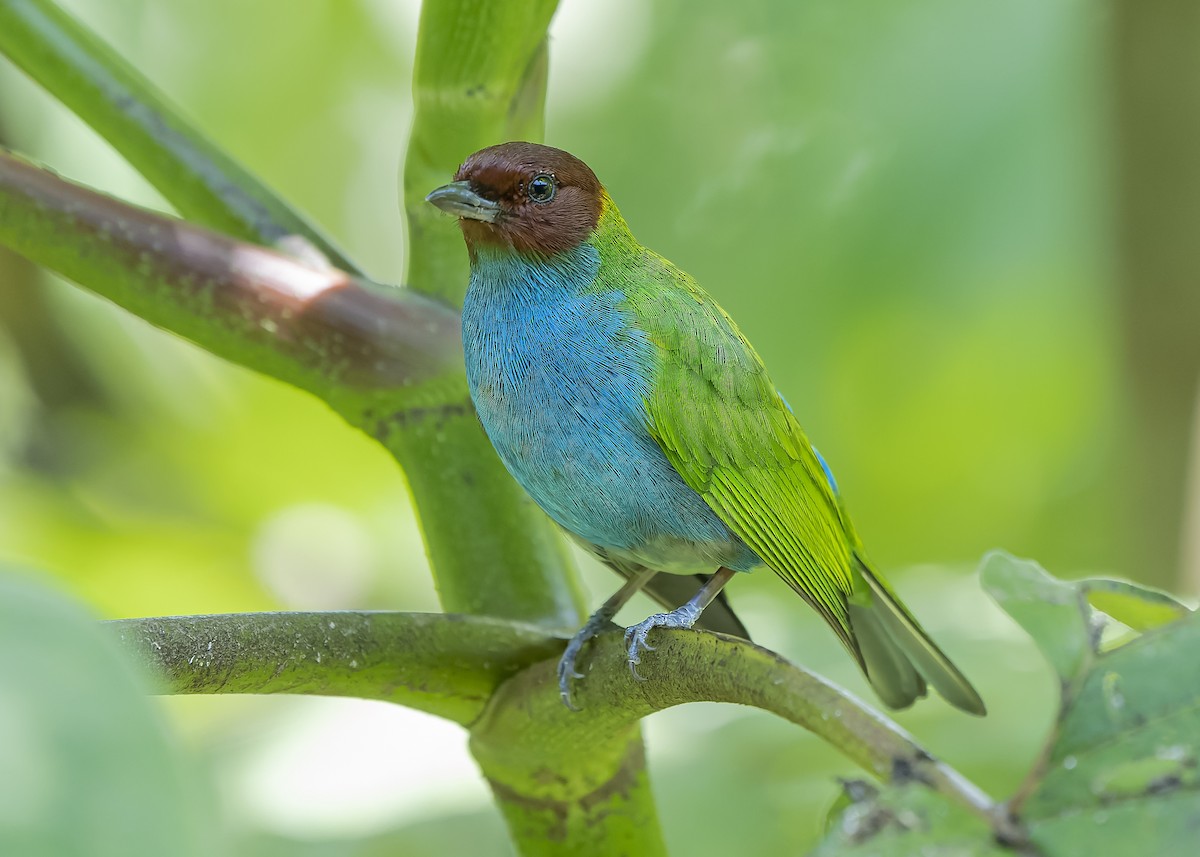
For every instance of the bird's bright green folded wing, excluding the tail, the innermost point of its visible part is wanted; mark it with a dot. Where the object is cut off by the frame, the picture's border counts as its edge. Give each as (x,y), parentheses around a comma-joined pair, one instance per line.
(725,429)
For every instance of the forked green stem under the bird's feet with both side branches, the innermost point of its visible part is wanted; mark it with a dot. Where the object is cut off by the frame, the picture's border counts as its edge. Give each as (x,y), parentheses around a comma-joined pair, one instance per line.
(499,679)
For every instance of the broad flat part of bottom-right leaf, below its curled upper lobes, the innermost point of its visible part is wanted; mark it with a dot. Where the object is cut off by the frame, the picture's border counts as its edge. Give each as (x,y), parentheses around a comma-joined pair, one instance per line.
(1124,775)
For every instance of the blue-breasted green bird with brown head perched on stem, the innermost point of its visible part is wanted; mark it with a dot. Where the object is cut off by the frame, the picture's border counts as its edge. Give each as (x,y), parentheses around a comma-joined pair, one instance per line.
(633,410)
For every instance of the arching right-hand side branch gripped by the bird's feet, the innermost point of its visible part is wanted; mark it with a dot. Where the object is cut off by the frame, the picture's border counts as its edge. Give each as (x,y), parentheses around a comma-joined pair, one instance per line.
(691,667)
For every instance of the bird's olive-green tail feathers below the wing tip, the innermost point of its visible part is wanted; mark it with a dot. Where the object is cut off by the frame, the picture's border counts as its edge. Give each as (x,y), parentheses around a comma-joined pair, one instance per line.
(898,655)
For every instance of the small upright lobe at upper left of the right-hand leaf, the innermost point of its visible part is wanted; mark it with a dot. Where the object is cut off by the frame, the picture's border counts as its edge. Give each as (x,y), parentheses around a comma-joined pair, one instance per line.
(1051,612)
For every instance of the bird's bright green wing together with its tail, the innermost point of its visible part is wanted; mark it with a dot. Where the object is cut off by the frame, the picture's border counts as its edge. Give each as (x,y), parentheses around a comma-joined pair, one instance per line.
(725,429)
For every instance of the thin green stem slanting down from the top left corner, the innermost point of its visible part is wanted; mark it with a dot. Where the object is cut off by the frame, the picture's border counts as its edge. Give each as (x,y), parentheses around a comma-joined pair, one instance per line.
(201,181)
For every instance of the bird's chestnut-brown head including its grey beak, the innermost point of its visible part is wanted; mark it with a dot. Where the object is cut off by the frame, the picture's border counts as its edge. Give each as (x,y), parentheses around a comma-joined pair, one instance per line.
(530,197)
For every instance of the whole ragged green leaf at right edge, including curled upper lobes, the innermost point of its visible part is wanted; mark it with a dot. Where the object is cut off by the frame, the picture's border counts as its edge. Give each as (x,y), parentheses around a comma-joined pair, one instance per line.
(1120,774)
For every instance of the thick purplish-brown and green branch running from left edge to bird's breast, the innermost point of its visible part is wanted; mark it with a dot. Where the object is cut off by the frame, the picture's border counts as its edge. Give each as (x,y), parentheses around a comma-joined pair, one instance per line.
(299,321)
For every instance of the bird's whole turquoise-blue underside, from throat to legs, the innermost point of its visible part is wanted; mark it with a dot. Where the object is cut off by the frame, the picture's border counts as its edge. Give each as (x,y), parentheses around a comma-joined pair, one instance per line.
(559,376)
